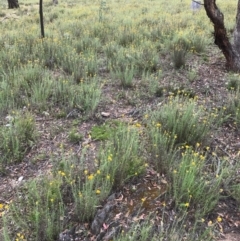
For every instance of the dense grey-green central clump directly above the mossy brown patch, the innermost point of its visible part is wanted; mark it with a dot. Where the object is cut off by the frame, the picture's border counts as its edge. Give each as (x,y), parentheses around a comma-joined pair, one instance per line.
(122,154)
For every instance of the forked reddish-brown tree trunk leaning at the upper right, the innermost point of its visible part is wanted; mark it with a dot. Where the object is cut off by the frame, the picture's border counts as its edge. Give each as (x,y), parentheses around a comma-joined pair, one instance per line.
(230,50)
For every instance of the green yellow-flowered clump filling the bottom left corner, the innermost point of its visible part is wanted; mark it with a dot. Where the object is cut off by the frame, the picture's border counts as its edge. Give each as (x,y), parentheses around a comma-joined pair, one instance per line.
(37,214)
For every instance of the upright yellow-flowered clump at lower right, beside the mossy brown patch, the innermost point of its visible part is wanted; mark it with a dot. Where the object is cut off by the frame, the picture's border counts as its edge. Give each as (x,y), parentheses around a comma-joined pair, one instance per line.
(192,185)
